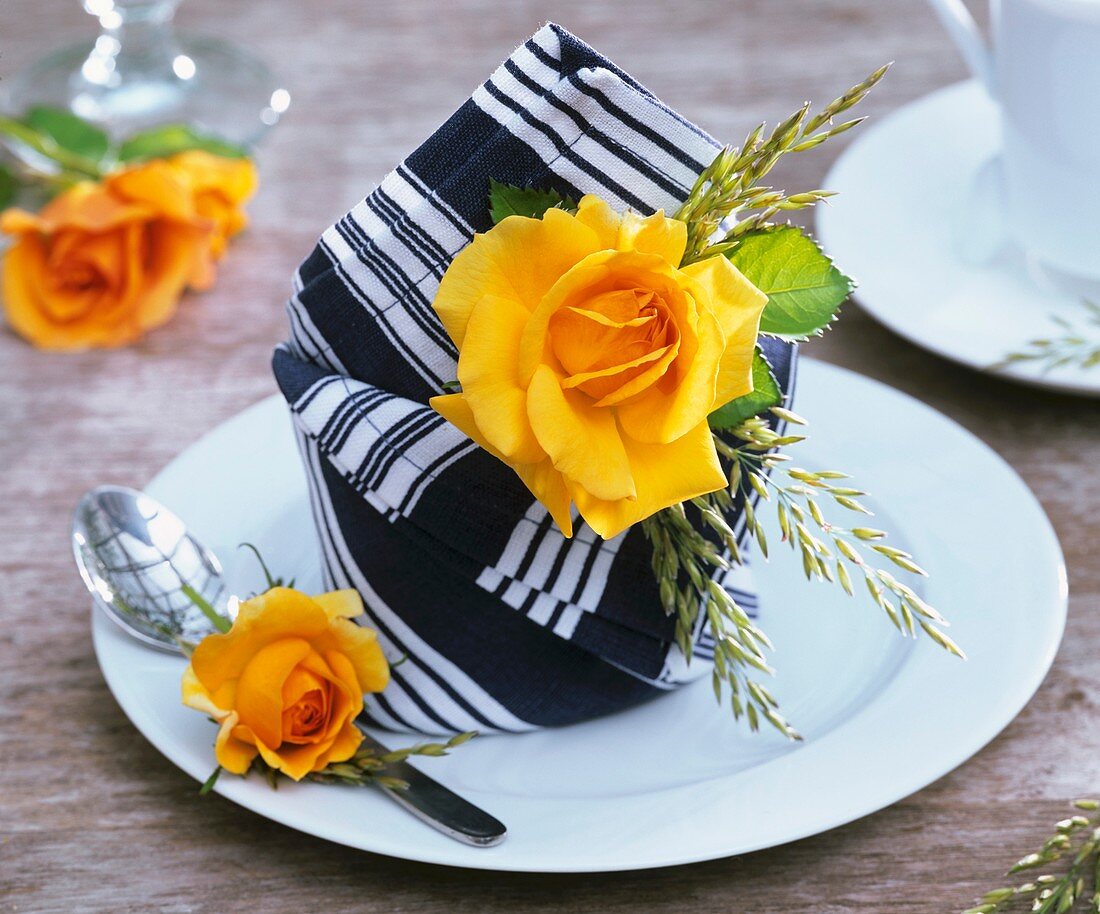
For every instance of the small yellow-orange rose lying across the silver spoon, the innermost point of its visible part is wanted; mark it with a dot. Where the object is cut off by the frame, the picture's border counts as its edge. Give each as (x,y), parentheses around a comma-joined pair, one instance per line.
(287,682)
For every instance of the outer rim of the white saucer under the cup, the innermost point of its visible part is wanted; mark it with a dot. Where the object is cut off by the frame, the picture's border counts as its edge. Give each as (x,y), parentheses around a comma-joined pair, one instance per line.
(824,225)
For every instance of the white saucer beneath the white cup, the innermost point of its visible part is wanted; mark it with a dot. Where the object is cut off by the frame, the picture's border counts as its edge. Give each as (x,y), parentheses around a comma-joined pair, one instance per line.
(918,221)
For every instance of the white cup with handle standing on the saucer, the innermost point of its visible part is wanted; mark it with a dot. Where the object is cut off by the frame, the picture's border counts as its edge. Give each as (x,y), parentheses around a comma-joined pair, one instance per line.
(1044,72)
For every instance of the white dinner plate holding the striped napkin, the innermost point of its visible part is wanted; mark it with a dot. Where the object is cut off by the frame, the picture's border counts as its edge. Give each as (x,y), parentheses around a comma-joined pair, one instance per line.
(677,781)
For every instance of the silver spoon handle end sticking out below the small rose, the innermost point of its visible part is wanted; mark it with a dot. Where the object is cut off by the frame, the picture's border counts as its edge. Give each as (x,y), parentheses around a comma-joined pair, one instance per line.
(438,807)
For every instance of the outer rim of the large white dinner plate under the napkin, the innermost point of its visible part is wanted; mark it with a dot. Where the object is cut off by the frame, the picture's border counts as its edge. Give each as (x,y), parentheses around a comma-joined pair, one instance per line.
(489,861)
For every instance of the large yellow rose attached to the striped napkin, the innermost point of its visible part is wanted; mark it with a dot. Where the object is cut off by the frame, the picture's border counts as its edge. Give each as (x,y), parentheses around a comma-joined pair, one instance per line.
(590,360)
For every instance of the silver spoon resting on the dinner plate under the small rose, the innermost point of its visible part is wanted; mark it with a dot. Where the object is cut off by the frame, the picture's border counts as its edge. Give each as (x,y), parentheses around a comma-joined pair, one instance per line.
(136,557)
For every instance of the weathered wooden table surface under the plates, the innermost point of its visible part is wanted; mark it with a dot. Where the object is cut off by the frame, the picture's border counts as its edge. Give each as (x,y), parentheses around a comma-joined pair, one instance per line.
(93,819)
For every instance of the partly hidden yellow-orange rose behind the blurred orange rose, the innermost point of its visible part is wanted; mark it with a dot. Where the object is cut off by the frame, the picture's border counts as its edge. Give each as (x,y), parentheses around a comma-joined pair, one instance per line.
(221,188)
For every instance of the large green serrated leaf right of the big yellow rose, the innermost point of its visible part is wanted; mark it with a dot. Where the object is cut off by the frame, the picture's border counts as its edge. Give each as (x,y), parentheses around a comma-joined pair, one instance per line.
(805,289)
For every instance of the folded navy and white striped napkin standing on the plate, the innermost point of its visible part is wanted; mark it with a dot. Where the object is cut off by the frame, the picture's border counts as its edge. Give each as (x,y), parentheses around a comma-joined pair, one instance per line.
(507,625)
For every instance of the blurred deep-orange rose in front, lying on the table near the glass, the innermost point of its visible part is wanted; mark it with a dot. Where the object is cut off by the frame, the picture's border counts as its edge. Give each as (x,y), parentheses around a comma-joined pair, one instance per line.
(104,263)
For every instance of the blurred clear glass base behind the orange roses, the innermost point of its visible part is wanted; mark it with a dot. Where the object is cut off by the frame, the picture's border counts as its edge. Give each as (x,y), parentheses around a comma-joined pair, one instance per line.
(214,86)
